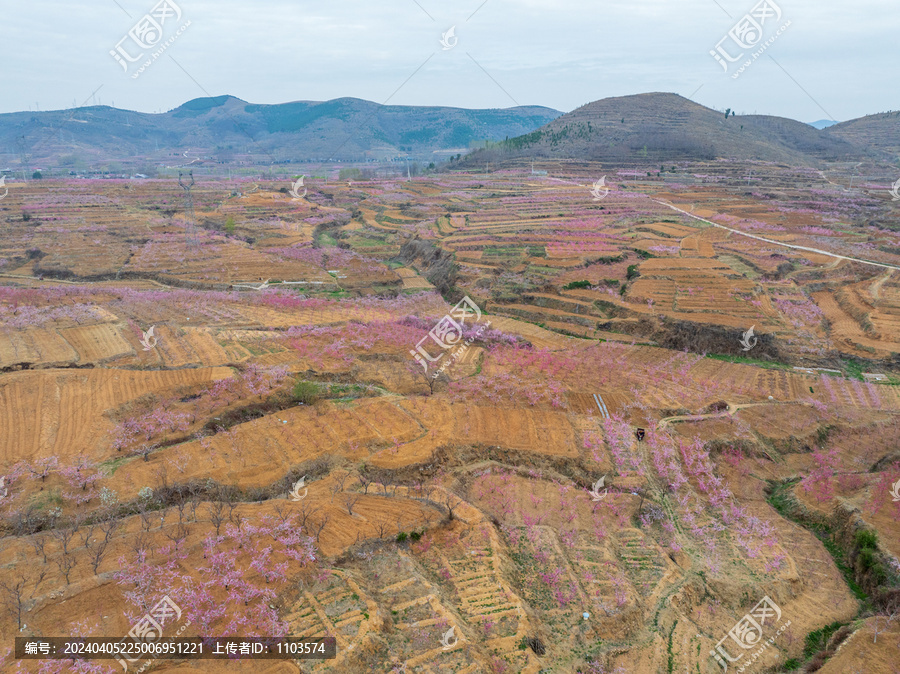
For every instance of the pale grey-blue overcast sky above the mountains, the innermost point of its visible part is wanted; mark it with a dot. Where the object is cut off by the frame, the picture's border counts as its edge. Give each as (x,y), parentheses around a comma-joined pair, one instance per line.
(837,59)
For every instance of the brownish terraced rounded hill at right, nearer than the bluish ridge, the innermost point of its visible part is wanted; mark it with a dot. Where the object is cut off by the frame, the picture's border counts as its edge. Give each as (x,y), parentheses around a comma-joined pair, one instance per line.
(662,127)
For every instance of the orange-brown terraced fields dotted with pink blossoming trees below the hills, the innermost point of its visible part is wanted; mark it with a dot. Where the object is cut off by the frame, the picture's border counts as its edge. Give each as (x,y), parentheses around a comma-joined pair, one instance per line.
(321,437)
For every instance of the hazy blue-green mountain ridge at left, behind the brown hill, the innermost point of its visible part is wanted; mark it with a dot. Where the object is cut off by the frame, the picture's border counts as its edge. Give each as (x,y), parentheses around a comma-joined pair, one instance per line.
(224,127)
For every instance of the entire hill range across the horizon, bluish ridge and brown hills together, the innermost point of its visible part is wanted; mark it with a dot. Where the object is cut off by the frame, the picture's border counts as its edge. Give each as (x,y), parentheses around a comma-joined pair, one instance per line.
(652,127)
